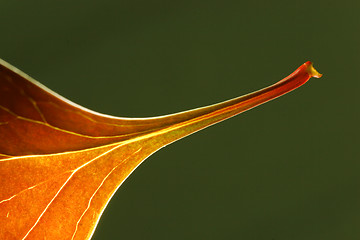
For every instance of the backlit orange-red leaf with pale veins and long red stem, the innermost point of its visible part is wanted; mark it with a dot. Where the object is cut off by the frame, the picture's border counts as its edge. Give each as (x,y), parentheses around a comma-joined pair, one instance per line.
(61,163)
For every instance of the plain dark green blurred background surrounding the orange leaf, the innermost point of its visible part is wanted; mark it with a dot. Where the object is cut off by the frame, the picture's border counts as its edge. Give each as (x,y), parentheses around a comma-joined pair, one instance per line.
(287,170)
